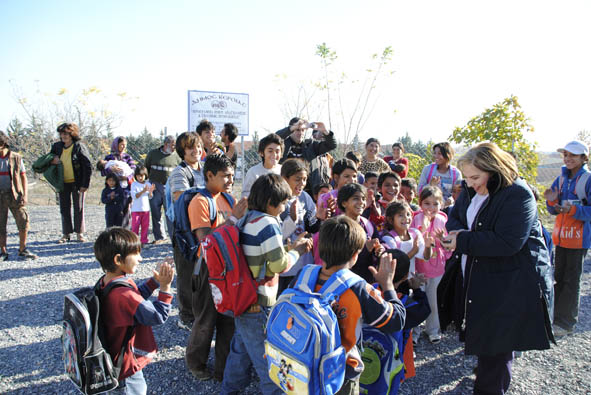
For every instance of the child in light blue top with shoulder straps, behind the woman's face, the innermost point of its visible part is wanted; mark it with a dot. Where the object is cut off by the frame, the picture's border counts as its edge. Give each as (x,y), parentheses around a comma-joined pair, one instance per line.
(441,173)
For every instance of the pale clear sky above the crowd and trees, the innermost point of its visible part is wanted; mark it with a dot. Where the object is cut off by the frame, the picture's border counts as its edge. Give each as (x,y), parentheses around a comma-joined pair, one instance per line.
(452,59)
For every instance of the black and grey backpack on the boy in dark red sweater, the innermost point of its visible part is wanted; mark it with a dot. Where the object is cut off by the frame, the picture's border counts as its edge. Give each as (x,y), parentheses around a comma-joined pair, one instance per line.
(86,361)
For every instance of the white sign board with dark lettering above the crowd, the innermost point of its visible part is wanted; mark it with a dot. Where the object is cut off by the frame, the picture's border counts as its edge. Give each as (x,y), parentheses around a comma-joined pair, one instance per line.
(219,108)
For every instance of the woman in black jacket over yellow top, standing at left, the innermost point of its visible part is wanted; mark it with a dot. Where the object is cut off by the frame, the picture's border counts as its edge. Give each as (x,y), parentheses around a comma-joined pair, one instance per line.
(77,171)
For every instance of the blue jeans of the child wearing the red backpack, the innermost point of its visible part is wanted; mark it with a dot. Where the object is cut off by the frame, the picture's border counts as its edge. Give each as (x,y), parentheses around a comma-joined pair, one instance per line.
(247,350)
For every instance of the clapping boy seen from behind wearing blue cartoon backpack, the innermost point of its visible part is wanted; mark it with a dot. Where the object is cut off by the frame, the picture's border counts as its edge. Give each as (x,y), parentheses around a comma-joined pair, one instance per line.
(352,302)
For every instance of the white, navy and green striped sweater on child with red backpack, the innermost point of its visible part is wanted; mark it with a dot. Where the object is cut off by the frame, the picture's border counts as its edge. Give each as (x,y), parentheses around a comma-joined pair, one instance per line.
(262,243)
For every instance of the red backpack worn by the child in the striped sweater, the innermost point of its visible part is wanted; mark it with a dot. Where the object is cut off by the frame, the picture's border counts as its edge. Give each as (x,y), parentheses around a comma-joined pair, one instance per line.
(232,286)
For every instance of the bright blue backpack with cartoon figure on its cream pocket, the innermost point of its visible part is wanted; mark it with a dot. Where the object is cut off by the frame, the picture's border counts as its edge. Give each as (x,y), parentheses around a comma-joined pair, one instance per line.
(303,347)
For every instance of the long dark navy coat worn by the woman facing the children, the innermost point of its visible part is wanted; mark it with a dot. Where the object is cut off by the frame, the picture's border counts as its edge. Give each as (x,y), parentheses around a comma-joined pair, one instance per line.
(508,277)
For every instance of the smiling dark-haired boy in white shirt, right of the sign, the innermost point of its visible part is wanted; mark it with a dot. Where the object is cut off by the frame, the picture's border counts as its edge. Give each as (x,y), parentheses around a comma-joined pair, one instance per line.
(270,149)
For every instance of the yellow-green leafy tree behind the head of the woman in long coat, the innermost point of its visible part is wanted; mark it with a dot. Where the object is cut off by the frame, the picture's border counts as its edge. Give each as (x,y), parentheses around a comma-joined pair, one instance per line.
(506,125)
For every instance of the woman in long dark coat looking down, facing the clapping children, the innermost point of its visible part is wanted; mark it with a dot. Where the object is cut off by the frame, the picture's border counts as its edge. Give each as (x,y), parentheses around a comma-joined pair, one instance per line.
(505,265)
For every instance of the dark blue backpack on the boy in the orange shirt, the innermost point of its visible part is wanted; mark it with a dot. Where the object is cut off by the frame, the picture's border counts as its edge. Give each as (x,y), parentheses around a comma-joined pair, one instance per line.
(184,237)
